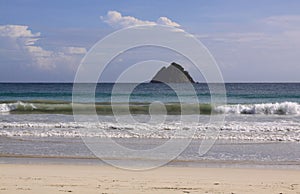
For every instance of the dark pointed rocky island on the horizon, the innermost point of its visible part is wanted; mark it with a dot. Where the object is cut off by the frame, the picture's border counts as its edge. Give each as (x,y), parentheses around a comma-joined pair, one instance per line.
(174,73)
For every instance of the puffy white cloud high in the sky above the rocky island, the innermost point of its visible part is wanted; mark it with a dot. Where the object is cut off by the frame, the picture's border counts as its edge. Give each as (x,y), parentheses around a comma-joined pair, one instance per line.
(116,20)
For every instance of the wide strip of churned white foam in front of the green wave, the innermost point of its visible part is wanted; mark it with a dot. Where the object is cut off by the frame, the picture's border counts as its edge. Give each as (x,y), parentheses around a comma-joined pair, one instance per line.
(232,130)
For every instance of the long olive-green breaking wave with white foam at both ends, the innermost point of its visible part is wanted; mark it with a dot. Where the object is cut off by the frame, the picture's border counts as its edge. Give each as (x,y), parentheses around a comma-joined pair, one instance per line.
(61,107)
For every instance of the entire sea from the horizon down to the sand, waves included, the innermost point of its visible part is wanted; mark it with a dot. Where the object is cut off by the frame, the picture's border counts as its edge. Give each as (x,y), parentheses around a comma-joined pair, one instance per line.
(261,122)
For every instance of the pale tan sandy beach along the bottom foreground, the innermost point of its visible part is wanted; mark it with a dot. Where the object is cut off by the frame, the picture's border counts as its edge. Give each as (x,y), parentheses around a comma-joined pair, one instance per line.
(49,178)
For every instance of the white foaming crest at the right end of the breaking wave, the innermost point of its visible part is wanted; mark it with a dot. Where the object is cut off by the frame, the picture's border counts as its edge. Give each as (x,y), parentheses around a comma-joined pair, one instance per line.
(284,108)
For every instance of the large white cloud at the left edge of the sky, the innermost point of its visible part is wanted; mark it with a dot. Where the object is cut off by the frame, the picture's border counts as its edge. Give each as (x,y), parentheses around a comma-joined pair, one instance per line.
(22,41)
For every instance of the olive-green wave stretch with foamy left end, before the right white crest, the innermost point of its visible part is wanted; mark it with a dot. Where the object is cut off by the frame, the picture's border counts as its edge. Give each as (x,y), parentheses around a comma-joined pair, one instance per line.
(60,107)
